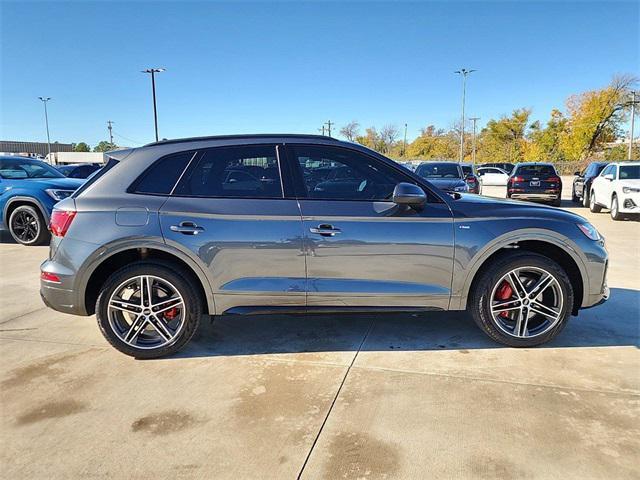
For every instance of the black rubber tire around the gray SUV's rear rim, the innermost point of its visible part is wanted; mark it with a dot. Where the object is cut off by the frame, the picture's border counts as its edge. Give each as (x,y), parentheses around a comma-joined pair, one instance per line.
(182,281)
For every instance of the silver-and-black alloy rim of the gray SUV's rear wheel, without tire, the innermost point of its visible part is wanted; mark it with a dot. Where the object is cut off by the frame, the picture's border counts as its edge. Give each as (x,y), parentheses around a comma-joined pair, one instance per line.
(146,312)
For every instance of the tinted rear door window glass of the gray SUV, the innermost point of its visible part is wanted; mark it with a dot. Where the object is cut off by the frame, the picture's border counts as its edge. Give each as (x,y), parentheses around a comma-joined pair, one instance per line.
(229,172)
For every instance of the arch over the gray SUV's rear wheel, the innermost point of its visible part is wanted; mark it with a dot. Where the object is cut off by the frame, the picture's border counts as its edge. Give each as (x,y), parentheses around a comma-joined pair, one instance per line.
(104,264)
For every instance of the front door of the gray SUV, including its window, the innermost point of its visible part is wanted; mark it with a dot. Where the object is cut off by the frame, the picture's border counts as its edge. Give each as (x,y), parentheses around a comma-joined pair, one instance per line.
(363,250)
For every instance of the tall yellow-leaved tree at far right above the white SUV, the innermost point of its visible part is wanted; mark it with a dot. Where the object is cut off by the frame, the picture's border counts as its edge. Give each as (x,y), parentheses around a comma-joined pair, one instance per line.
(595,118)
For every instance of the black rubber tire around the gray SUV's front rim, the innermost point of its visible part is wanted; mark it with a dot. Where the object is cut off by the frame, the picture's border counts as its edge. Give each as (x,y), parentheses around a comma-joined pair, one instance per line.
(479,301)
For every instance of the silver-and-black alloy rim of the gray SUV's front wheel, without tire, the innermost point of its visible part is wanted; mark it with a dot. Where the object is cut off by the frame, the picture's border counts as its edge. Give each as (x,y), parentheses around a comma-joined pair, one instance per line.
(527,302)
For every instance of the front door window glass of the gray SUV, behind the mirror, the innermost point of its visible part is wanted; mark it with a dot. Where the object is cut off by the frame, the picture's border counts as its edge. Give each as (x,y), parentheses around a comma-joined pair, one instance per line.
(343,174)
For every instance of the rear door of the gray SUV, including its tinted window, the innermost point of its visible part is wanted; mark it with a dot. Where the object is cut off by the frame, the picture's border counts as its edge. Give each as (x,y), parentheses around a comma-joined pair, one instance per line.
(230,210)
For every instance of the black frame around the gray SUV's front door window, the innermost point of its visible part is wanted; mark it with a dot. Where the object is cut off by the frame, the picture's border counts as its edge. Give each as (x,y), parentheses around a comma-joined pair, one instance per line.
(301,191)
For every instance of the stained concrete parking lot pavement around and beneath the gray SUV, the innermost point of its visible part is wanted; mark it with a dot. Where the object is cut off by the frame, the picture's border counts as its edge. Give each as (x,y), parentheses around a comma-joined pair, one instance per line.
(361,396)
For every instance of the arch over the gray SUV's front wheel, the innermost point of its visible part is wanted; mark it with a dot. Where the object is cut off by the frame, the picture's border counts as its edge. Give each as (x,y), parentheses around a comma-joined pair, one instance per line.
(543,244)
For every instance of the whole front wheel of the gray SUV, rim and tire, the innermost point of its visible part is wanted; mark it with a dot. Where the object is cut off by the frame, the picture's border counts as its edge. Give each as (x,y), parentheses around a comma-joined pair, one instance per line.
(522,300)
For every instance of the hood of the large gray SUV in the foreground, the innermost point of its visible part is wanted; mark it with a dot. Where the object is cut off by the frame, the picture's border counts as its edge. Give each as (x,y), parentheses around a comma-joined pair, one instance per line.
(478,206)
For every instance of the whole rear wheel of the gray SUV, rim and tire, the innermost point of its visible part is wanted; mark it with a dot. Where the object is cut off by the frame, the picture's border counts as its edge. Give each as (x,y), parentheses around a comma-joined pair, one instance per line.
(148,309)
